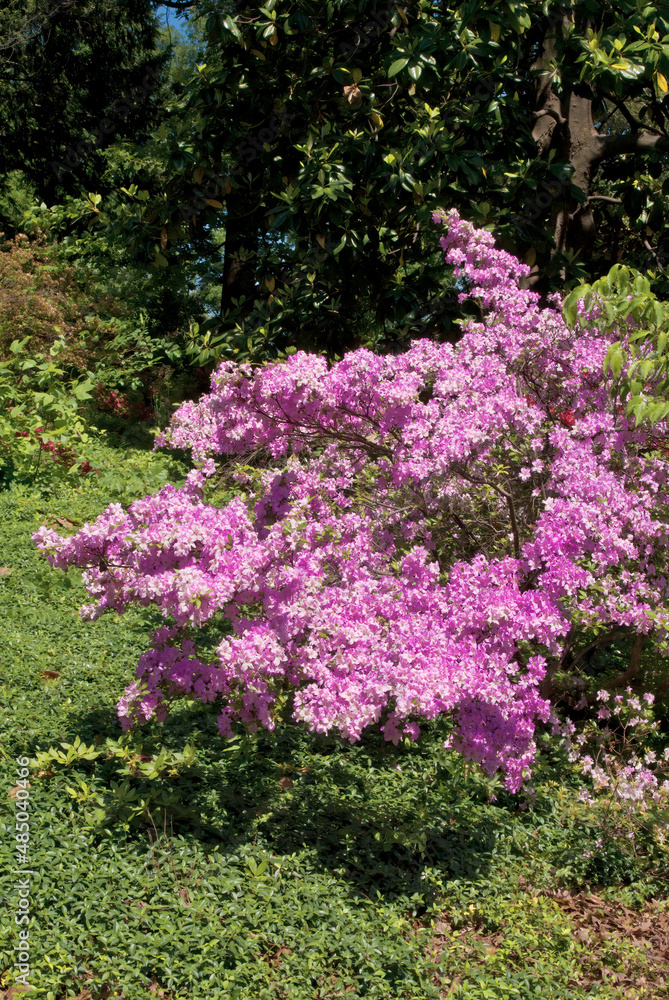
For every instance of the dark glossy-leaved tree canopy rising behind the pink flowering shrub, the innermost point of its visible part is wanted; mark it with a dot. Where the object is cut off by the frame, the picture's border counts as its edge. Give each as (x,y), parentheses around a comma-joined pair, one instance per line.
(285,172)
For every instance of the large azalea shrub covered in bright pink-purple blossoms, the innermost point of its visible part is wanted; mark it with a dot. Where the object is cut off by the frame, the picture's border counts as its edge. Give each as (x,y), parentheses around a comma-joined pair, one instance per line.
(410,536)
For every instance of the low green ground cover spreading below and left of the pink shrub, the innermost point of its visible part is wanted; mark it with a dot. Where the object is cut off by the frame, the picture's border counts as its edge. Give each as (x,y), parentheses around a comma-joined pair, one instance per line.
(175,863)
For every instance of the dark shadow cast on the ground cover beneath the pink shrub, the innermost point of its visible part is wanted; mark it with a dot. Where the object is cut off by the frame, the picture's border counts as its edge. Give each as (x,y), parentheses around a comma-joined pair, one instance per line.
(371,813)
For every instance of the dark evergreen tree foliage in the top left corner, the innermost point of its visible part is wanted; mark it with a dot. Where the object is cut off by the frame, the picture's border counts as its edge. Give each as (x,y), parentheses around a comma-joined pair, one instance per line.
(75,77)
